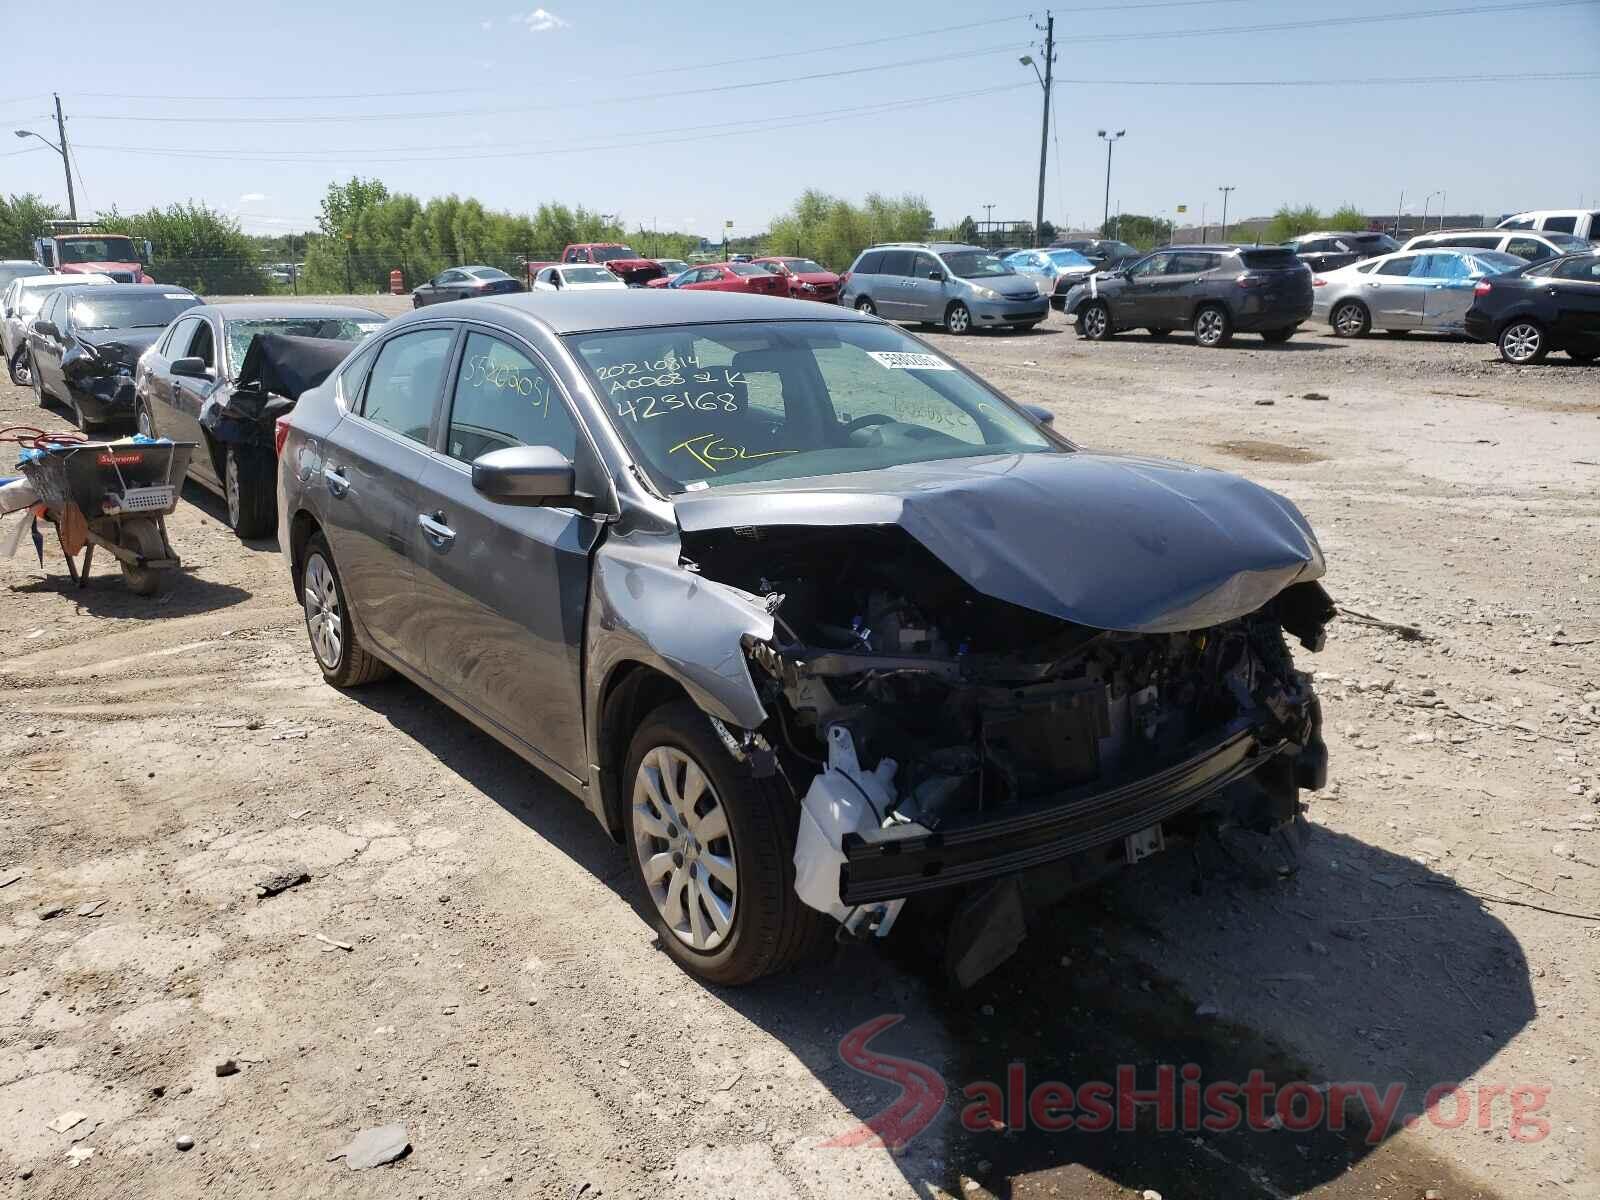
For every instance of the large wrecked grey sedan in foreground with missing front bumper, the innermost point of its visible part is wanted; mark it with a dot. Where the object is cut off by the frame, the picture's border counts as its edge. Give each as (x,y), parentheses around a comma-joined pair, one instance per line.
(810,617)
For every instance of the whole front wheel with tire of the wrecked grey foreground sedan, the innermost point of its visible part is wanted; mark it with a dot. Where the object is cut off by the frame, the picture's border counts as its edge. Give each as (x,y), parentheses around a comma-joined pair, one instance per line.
(713,850)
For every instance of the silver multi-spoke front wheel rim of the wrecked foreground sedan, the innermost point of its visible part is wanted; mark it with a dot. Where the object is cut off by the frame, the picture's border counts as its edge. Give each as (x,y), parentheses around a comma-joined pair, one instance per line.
(686,849)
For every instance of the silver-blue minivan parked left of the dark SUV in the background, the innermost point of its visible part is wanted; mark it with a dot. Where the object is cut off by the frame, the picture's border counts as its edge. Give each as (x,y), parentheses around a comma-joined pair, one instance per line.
(945,284)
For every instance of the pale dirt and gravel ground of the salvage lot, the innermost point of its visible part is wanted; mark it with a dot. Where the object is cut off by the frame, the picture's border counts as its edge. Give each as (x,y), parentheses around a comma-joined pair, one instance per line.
(466,958)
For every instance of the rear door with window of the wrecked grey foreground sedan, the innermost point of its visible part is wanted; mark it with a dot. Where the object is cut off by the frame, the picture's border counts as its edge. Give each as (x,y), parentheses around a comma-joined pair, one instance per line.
(370,473)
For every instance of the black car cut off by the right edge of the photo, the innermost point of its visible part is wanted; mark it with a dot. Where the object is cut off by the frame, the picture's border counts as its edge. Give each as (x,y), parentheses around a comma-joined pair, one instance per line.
(1550,306)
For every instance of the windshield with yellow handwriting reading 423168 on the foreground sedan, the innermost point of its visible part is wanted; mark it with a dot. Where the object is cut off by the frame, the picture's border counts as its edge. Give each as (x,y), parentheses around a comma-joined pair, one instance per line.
(706,406)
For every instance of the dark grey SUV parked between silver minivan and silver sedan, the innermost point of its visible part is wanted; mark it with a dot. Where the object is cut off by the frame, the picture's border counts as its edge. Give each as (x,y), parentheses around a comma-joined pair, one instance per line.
(1214,290)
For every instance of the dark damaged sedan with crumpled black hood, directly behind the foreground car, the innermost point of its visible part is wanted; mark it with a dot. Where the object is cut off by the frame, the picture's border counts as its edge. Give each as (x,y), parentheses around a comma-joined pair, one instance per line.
(193,388)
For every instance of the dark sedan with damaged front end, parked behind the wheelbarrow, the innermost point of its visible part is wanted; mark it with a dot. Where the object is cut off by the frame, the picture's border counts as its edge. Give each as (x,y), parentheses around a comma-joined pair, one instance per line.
(87,342)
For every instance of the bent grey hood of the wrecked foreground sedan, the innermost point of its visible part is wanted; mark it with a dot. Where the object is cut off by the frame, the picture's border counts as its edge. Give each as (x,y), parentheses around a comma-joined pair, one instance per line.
(1108,542)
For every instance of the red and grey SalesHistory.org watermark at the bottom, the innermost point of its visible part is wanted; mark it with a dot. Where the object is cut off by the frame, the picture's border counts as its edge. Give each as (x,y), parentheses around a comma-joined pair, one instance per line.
(1178,1095)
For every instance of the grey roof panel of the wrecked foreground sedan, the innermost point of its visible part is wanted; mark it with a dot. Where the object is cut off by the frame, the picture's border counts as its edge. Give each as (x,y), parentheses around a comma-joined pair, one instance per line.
(630,310)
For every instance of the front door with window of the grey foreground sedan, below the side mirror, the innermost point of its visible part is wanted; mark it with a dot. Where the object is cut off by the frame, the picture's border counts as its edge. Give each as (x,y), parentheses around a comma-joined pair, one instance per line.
(503,586)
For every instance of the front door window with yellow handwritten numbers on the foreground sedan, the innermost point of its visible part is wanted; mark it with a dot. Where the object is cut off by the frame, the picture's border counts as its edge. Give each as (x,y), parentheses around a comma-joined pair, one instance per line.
(505,399)
